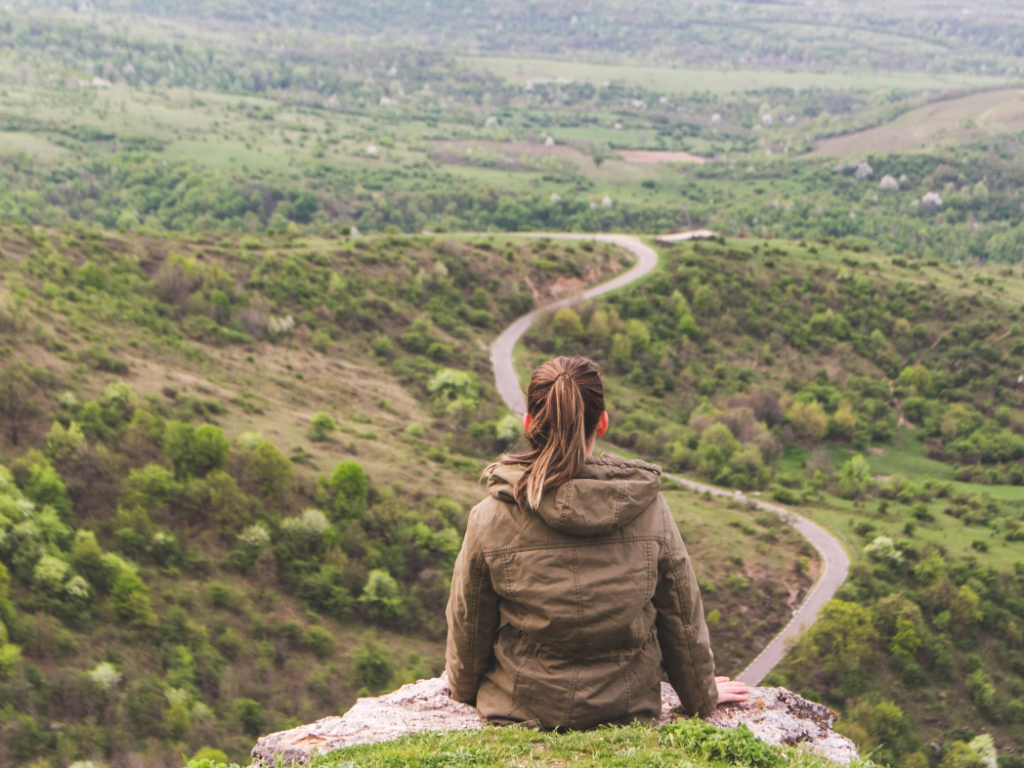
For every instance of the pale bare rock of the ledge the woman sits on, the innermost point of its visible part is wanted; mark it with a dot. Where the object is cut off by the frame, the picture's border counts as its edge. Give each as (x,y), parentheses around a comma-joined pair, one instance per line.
(775,715)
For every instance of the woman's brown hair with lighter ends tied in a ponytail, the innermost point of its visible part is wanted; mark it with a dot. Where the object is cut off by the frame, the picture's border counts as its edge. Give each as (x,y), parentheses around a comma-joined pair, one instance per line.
(566,400)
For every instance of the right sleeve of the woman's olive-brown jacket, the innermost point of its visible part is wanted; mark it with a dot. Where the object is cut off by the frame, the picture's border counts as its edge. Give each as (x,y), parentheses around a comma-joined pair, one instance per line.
(682,632)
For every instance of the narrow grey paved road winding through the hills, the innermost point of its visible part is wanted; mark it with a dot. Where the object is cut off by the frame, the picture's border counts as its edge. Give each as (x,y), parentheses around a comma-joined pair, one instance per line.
(836,563)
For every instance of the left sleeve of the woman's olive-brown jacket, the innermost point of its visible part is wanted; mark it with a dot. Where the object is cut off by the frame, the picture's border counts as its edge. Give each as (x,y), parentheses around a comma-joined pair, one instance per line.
(474,618)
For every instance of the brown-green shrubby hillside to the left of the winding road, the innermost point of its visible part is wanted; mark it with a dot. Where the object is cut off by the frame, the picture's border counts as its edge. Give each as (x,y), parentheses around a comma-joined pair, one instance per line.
(235,473)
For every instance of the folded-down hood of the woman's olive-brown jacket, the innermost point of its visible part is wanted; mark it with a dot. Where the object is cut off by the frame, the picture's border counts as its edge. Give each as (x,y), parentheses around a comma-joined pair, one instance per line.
(607,495)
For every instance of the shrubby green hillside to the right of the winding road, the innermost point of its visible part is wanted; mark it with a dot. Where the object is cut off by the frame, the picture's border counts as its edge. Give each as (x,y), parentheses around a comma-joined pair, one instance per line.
(879,396)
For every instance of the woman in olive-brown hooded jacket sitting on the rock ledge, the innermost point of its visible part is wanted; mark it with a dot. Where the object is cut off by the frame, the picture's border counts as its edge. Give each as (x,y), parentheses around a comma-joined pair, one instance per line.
(574,590)
